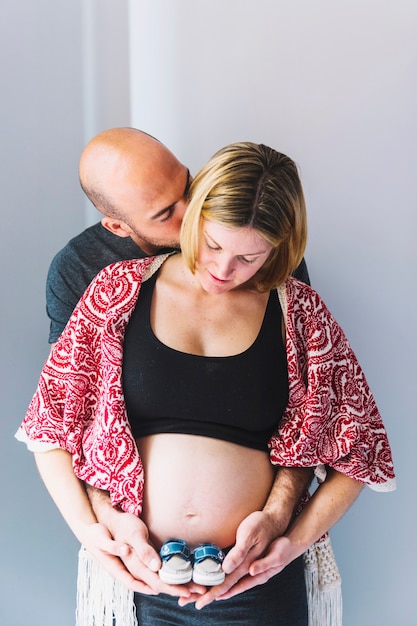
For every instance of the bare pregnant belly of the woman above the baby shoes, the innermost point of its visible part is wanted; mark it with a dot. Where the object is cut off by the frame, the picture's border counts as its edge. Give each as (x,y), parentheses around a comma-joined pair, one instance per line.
(199,489)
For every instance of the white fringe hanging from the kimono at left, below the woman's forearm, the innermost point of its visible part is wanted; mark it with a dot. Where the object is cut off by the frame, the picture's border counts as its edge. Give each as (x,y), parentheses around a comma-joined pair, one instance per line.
(100,598)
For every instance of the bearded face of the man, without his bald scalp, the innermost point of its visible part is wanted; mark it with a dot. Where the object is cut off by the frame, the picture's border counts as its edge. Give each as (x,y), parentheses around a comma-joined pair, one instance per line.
(154,215)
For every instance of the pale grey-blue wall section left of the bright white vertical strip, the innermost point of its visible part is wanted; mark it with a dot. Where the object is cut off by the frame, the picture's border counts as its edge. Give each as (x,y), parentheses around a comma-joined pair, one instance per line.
(64,76)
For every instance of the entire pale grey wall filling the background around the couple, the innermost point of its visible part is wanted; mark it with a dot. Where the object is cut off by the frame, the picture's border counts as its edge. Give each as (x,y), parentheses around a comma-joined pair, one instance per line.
(330,82)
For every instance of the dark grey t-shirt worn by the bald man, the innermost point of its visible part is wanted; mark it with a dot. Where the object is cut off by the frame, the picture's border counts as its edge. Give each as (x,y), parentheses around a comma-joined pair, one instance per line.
(74,267)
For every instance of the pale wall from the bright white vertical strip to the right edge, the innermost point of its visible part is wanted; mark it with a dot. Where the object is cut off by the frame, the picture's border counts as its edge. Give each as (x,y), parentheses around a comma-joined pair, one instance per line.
(333,84)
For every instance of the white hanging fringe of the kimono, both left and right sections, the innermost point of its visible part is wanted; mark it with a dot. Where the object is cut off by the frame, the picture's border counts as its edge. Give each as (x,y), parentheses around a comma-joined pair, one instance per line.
(101,599)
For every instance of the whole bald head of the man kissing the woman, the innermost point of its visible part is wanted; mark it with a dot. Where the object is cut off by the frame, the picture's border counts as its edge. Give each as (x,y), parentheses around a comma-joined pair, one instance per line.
(138,184)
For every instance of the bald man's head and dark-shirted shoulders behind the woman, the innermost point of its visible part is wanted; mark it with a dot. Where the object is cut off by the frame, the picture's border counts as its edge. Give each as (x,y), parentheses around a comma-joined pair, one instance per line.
(141,189)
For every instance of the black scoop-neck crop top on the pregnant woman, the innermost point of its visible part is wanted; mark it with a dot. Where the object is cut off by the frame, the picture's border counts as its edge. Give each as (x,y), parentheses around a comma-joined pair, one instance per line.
(237,398)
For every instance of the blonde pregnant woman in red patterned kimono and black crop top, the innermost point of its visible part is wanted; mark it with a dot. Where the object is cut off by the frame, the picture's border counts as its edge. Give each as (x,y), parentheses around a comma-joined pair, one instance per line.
(182,381)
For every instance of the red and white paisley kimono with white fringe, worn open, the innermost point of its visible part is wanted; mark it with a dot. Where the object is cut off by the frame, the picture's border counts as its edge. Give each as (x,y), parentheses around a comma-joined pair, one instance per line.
(331,417)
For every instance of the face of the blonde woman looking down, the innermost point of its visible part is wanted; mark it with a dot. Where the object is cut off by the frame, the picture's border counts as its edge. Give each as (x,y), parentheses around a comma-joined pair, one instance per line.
(228,257)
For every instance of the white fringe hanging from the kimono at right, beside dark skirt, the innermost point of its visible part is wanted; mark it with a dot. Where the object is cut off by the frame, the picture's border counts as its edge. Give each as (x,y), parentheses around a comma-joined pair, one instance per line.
(324,585)
